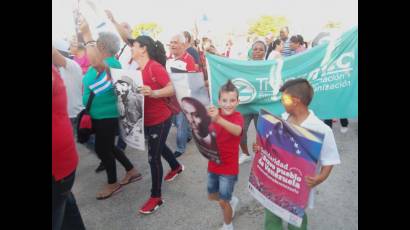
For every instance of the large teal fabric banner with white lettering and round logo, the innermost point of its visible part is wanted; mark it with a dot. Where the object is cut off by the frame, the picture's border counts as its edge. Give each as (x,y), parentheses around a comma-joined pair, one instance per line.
(331,68)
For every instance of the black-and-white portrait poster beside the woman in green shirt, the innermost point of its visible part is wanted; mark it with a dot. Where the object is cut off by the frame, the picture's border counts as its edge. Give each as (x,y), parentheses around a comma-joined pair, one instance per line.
(130,106)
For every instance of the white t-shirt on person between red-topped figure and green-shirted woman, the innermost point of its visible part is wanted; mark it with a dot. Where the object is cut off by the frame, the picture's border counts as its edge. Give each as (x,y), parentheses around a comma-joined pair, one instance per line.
(72,76)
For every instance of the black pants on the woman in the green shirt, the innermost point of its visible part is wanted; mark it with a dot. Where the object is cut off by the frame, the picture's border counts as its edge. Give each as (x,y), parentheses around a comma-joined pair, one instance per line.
(105,131)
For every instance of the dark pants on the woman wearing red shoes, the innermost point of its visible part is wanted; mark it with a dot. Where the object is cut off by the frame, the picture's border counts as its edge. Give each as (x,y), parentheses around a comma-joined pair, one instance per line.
(157,136)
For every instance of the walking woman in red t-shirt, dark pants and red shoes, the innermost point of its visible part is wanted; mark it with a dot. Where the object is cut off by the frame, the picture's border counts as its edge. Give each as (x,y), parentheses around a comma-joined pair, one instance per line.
(151,58)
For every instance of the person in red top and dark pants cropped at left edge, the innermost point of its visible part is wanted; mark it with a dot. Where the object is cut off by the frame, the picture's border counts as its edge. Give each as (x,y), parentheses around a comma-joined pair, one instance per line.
(64,160)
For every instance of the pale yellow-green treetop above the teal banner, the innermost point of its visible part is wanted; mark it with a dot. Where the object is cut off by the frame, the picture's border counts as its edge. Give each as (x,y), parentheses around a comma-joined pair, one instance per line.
(266,24)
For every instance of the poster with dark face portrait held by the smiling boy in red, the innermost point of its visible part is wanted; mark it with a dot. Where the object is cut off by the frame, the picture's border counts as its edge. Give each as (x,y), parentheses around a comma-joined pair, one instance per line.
(193,97)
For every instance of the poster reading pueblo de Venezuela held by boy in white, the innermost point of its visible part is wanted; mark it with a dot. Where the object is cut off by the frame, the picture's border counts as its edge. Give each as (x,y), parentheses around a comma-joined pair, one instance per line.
(288,153)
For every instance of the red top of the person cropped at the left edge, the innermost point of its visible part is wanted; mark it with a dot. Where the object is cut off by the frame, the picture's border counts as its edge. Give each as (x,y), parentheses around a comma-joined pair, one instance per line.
(64,158)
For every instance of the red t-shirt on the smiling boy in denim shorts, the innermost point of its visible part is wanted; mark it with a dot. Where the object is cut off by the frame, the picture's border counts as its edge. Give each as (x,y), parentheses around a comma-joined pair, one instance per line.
(228,146)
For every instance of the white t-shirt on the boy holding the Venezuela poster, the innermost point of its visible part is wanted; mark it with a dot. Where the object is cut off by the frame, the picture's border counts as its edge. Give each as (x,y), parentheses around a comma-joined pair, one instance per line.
(329,154)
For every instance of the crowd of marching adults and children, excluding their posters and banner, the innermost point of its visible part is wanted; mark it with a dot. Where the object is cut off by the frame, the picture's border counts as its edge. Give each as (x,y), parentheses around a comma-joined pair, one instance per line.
(78,71)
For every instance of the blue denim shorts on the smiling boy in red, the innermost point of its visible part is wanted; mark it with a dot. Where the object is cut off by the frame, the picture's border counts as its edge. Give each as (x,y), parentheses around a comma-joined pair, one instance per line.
(222,184)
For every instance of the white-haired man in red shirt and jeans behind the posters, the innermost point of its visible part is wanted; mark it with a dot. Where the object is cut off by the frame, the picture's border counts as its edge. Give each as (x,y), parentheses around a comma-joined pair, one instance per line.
(181,62)
